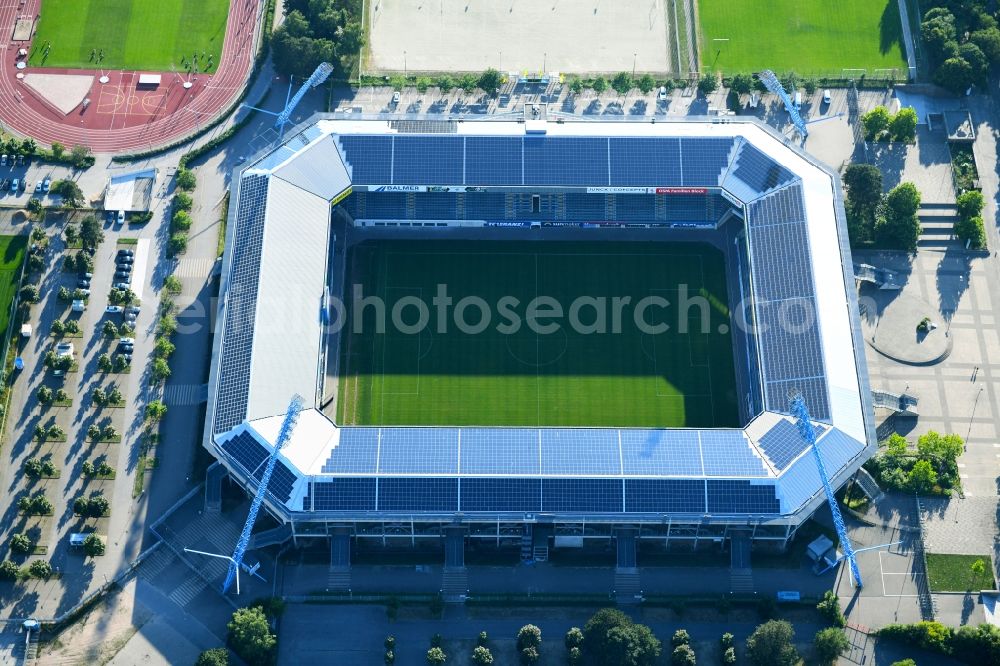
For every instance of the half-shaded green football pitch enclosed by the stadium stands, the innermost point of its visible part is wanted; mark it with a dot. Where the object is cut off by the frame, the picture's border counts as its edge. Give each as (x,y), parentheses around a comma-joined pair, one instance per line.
(627,376)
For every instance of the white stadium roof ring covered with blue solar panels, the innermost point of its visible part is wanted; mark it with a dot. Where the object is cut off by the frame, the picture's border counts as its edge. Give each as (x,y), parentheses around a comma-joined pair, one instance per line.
(269,346)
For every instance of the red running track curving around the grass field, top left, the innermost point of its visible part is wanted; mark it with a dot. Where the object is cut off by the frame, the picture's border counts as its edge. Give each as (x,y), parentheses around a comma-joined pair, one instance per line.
(121,118)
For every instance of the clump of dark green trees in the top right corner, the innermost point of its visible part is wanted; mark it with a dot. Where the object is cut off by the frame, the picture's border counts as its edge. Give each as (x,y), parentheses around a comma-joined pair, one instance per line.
(962,42)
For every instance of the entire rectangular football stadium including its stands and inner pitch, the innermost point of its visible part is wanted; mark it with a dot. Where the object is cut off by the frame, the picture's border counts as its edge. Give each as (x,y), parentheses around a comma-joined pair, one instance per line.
(537,330)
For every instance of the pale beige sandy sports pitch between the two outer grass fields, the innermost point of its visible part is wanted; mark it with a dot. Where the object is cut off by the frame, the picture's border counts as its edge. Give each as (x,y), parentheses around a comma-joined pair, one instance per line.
(577,36)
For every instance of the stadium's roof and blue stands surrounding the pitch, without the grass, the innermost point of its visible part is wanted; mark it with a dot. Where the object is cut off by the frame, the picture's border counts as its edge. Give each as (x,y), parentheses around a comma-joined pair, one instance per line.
(775,211)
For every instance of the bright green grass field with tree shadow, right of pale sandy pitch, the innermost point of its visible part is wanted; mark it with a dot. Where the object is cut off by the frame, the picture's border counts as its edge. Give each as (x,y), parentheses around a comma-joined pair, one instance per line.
(811,37)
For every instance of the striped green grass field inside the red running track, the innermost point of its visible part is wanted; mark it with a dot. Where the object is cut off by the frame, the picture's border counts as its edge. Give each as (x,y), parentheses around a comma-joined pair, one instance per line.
(135,34)
